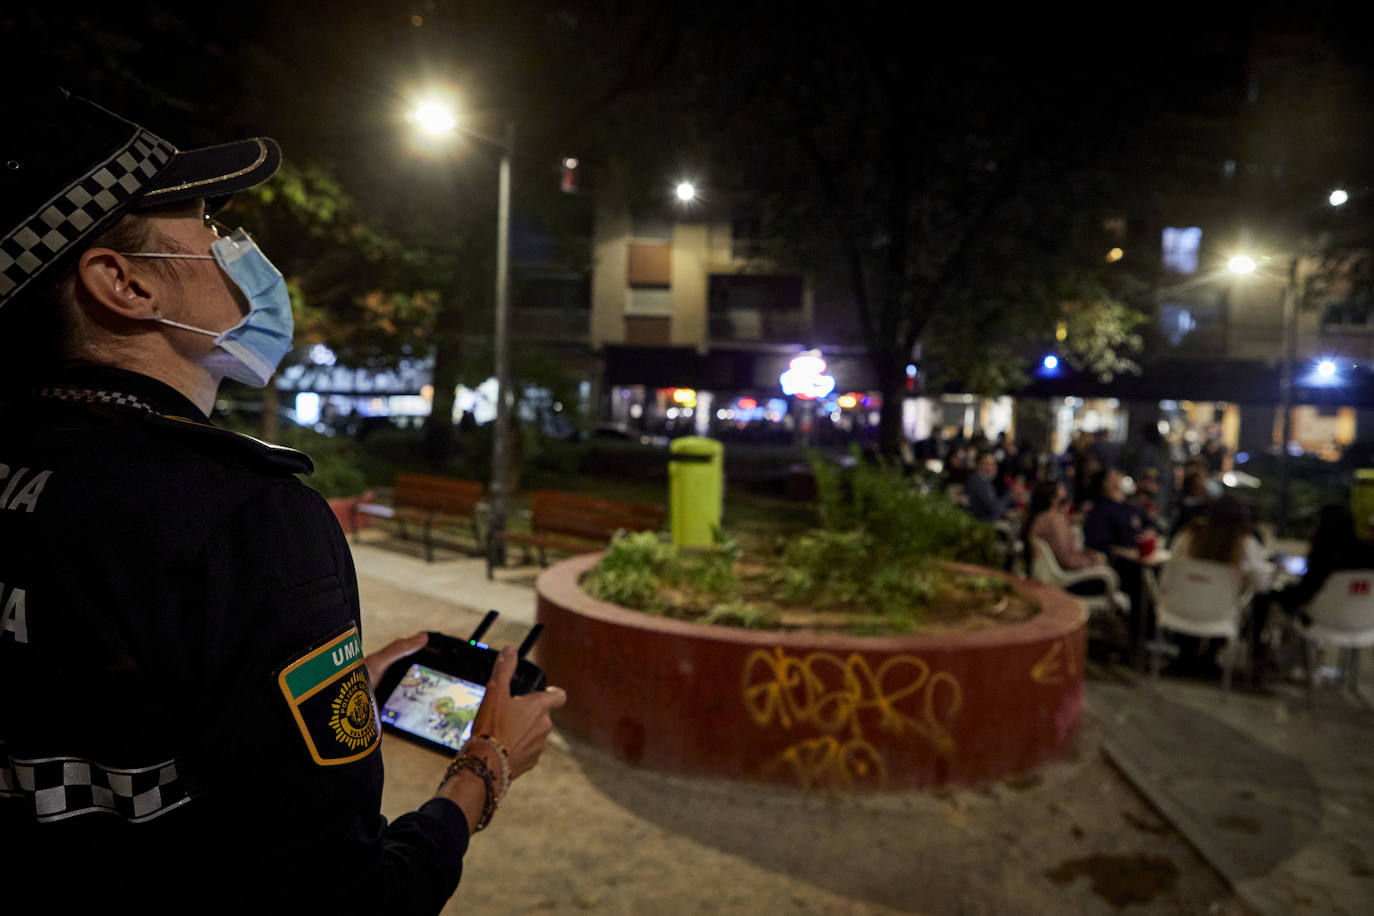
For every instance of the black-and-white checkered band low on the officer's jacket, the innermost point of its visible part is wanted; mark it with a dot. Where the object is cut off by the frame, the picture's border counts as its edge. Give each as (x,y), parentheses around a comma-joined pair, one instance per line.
(63,788)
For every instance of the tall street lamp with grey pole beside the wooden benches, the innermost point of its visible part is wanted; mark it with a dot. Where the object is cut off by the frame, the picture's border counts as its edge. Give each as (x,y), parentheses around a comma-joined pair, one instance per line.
(438,119)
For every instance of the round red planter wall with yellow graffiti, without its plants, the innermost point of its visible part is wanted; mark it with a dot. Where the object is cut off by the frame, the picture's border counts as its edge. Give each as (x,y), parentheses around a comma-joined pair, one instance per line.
(847,713)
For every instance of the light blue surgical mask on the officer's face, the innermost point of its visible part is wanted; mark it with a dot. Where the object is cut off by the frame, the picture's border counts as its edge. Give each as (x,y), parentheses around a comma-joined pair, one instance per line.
(254,348)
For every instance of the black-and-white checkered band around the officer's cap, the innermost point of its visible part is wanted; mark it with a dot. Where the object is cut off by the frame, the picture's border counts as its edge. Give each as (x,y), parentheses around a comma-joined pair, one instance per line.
(72,214)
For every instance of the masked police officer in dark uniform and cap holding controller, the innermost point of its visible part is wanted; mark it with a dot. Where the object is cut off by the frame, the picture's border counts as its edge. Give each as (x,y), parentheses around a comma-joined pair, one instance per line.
(186,718)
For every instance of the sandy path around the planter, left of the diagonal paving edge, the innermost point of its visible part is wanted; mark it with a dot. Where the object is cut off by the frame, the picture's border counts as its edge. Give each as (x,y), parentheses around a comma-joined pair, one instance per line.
(586,833)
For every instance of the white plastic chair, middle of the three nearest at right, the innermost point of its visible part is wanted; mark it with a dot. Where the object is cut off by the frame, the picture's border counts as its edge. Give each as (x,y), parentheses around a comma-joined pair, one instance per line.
(1200,598)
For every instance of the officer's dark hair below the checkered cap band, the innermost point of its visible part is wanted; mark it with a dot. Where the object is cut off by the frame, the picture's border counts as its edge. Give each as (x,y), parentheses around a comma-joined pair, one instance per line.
(41,330)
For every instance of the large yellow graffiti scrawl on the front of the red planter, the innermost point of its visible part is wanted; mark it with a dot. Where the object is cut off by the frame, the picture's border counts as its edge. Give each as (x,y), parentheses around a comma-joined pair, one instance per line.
(831,694)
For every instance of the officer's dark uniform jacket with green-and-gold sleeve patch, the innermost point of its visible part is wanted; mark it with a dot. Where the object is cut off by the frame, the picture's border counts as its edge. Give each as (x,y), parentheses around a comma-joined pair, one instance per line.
(185,719)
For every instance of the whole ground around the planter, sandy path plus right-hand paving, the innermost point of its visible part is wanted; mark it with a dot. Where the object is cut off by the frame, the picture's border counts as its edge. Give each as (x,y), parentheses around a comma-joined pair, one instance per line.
(1281,803)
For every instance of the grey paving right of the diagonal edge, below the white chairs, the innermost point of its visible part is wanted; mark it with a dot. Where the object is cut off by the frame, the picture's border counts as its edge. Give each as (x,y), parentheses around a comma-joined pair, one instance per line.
(1277,797)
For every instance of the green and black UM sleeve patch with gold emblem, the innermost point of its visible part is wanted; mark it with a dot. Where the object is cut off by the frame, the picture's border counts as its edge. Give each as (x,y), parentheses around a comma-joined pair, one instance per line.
(332,701)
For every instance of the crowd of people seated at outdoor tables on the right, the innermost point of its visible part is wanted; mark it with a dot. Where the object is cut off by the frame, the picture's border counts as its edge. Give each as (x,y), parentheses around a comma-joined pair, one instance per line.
(1099,502)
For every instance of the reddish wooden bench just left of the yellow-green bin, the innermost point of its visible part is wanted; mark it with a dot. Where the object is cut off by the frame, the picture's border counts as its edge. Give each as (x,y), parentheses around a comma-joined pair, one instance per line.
(572,524)
